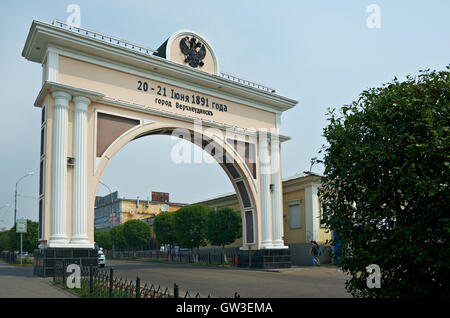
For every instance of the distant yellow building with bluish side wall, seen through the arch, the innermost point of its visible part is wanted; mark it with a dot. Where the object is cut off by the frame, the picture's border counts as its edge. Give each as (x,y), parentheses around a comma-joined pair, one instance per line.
(129,209)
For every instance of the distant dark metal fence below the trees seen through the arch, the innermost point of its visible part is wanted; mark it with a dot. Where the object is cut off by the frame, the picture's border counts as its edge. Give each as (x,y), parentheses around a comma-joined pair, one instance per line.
(180,256)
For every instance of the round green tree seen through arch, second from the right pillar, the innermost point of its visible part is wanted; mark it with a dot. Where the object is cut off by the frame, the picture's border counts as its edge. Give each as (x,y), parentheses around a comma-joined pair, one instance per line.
(190,226)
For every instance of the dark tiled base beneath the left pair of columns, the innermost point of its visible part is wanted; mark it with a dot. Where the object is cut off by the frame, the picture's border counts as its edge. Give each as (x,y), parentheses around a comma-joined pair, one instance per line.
(45,259)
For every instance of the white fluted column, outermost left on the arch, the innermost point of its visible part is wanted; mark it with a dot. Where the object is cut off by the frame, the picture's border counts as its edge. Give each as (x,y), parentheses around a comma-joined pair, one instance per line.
(58,236)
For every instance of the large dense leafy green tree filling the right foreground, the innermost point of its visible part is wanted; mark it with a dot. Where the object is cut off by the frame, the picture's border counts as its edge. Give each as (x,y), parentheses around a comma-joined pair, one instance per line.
(386,186)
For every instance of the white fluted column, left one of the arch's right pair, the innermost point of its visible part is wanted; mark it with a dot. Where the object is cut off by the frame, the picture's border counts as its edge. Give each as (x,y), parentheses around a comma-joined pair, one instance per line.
(266,218)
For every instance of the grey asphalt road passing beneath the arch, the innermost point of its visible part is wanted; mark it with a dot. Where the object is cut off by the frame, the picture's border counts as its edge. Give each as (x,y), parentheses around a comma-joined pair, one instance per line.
(301,282)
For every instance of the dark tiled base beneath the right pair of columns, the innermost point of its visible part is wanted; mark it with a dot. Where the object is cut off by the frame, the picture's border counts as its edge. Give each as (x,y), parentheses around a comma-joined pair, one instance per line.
(266,258)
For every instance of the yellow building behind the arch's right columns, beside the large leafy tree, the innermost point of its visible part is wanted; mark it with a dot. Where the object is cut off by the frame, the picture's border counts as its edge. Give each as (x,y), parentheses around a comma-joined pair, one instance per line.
(301,209)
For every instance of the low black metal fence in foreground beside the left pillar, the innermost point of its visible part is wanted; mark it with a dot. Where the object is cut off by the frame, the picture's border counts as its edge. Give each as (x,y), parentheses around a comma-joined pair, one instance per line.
(102,283)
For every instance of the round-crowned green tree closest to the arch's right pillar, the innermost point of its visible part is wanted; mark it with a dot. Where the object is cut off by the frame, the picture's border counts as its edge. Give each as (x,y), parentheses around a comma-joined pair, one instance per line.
(224,226)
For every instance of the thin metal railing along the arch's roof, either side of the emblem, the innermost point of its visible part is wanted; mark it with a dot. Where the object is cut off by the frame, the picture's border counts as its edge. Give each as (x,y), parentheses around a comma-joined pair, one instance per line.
(145,50)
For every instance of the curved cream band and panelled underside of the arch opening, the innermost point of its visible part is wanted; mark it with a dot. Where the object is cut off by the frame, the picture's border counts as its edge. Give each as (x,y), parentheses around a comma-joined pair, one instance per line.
(226,152)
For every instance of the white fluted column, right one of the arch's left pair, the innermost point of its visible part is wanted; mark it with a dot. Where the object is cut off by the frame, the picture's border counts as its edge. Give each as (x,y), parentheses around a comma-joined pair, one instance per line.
(79,223)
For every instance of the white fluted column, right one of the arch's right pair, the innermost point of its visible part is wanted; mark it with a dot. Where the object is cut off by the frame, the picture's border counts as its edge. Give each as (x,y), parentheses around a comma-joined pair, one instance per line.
(277,193)
